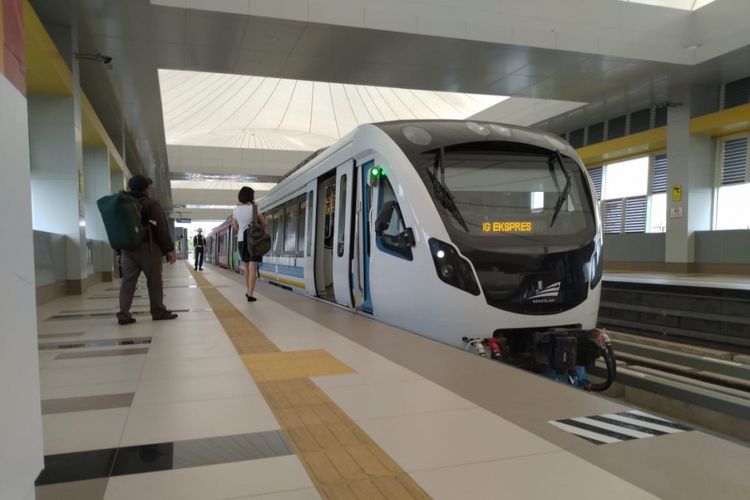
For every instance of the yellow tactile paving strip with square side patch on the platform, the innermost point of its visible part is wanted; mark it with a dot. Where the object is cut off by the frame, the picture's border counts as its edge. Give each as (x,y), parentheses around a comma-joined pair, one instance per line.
(342,460)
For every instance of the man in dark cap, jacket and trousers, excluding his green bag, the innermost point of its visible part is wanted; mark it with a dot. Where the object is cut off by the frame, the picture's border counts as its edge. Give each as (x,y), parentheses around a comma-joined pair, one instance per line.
(147,256)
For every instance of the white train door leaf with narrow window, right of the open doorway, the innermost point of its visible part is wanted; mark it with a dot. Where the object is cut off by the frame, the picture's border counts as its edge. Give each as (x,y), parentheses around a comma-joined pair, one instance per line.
(342,251)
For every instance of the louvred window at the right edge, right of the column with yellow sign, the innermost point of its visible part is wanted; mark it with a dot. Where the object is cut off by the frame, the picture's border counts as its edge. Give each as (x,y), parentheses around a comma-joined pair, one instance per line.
(734,185)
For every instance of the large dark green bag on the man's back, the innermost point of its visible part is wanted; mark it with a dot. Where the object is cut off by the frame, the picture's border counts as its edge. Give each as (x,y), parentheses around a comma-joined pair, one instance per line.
(123,218)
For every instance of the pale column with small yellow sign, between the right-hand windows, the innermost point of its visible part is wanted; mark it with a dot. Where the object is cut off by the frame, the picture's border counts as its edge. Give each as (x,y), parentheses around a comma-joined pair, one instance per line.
(690,163)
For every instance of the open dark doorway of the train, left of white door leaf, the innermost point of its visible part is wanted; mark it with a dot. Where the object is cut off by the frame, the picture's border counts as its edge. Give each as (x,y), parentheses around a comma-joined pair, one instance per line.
(324,236)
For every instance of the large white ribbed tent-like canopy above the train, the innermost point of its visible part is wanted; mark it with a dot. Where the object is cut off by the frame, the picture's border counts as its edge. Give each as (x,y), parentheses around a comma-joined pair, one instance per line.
(214,109)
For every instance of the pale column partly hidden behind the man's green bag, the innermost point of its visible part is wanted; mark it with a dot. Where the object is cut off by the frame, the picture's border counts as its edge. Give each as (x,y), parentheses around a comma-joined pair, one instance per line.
(96,176)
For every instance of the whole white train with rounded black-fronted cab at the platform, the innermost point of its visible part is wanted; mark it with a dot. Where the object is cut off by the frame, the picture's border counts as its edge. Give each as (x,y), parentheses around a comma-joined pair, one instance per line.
(476,234)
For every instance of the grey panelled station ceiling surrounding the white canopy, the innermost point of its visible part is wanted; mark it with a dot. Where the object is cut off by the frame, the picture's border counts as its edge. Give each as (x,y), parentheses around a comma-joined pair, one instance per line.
(270,43)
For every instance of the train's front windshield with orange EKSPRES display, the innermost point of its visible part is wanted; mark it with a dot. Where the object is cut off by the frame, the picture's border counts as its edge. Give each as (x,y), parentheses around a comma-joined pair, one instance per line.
(524,197)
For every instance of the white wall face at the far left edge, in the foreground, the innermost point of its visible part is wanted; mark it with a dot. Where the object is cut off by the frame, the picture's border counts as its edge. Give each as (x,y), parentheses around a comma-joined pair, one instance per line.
(21,455)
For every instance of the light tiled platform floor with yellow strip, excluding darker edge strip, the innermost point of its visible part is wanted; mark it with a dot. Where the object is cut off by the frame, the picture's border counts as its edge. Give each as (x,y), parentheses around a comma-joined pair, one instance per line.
(362,426)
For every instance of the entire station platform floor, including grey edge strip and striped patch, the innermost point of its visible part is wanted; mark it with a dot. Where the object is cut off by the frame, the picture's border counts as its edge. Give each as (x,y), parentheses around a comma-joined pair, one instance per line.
(293,398)
